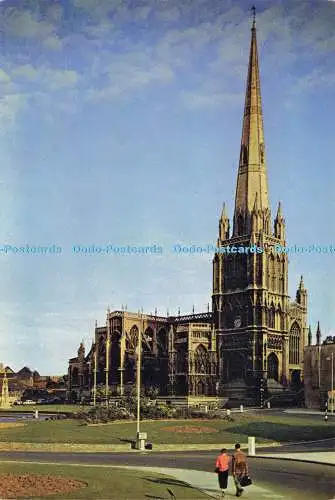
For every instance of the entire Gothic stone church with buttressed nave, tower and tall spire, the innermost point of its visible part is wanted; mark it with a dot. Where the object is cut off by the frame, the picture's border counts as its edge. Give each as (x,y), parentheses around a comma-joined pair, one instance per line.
(253,338)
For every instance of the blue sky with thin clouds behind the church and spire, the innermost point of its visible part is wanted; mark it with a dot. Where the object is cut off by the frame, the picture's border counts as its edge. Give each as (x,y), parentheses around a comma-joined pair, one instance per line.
(120,122)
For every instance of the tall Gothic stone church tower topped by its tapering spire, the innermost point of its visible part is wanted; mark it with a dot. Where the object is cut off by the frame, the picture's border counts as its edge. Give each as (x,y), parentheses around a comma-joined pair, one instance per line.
(251,306)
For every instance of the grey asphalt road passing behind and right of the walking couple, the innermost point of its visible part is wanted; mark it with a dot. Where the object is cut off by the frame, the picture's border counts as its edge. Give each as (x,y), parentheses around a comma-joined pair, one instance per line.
(293,480)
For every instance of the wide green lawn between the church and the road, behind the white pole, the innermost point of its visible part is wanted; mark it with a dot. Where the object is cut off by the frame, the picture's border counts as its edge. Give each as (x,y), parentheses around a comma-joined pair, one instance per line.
(162,432)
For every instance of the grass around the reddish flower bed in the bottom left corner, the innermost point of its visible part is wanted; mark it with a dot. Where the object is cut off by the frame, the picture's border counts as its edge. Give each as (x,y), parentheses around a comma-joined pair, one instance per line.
(104,482)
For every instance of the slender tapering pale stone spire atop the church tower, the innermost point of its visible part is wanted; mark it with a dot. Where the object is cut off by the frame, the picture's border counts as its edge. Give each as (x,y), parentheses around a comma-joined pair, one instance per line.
(252,175)
